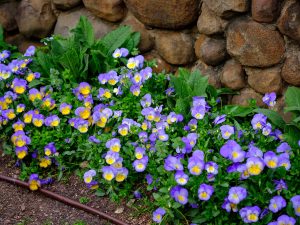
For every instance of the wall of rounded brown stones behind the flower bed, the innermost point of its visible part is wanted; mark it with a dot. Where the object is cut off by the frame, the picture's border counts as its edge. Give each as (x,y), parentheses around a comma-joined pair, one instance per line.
(250,46)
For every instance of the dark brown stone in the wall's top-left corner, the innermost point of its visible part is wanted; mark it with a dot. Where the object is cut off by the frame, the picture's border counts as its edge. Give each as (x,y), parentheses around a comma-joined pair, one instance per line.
(8,12)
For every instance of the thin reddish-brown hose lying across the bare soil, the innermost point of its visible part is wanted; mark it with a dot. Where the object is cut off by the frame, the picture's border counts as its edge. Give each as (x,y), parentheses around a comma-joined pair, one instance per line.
(65,200)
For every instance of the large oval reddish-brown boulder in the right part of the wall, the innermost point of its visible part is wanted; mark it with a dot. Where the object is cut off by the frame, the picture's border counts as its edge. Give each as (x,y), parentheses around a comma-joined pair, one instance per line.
(254,44)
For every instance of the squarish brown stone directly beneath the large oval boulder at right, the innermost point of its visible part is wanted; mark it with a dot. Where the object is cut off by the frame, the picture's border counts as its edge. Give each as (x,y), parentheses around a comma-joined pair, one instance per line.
(265,80)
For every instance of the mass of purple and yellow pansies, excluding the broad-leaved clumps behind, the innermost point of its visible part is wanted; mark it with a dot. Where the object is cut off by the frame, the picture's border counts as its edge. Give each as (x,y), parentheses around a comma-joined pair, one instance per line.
(129,139)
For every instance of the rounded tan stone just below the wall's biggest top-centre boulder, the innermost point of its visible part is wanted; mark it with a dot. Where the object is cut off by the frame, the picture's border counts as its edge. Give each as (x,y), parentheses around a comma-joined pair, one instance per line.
(176,48)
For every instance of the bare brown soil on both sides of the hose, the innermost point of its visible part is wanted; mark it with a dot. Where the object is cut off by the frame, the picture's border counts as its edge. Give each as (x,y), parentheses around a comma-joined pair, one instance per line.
(23,207)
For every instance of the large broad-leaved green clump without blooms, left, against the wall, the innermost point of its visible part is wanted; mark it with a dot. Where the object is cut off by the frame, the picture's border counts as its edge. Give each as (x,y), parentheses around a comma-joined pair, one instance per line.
(80,53)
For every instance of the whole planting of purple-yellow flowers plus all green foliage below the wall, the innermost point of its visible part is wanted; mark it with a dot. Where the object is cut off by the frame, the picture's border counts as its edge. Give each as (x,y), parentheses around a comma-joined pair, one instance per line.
(130,132)
